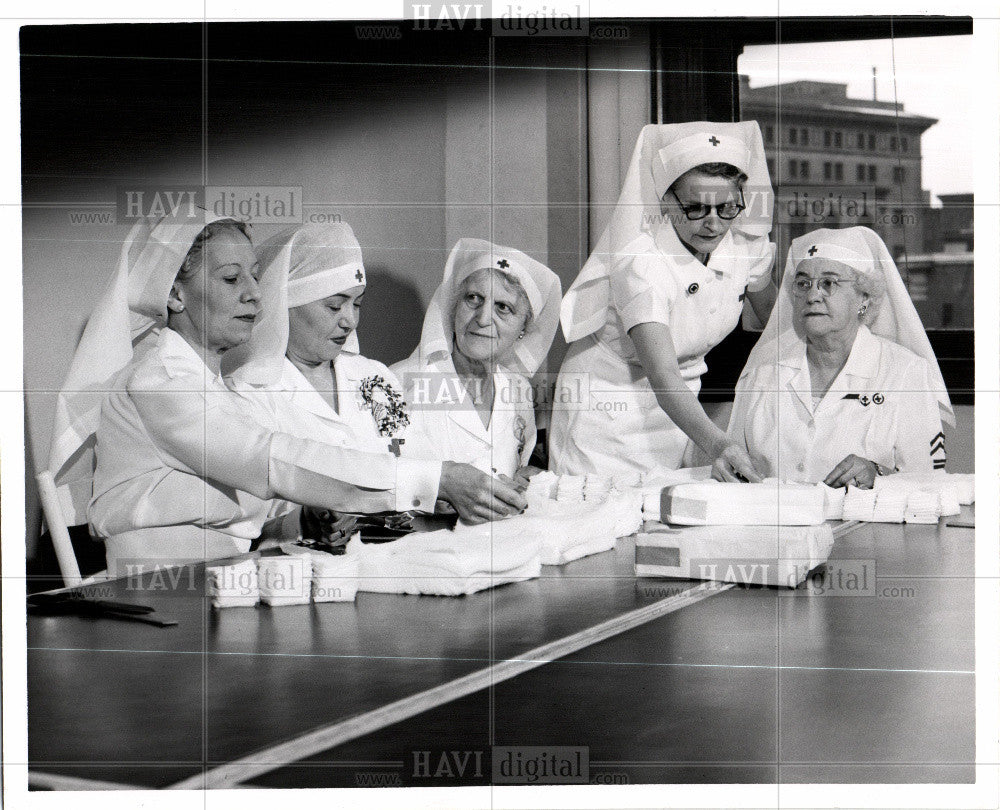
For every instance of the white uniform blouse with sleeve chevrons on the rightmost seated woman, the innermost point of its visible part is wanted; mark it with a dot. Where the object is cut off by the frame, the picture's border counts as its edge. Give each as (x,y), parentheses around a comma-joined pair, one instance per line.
(881,407)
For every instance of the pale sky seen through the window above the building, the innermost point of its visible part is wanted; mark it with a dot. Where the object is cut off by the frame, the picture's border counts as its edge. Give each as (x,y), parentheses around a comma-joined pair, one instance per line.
(928,75)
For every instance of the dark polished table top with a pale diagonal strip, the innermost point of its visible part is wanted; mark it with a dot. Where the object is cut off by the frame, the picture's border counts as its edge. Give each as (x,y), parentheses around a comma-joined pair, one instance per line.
(748,684)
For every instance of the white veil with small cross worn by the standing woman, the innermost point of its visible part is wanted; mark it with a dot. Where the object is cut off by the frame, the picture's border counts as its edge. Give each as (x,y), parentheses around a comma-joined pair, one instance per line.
(663,153)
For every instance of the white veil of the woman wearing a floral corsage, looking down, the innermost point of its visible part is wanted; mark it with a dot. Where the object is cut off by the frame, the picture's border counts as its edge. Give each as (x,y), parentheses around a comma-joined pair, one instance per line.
(300,265)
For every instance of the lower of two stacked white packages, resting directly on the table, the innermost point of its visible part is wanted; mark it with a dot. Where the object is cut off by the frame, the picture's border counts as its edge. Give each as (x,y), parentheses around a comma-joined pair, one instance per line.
(754,555)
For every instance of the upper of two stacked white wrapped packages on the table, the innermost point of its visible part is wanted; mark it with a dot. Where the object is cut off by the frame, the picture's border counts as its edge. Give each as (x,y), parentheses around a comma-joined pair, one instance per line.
(713,503)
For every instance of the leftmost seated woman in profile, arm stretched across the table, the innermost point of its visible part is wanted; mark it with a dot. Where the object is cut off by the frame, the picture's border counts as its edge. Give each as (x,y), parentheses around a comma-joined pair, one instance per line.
(184,468)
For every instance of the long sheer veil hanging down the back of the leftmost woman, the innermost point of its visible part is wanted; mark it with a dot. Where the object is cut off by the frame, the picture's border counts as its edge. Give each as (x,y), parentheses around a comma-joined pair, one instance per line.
(126,320)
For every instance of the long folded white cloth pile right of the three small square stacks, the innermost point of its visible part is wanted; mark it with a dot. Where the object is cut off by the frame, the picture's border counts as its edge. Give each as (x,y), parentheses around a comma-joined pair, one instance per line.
(447,563)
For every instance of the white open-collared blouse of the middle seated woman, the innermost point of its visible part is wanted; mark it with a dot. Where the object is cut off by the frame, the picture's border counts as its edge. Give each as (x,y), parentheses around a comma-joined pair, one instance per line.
(445,425)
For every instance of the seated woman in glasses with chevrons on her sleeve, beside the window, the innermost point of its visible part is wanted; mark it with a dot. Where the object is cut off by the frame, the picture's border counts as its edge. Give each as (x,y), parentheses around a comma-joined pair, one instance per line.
(843,385)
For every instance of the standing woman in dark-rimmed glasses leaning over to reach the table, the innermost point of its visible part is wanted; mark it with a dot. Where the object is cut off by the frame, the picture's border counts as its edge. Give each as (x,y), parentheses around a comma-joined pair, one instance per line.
(686,245)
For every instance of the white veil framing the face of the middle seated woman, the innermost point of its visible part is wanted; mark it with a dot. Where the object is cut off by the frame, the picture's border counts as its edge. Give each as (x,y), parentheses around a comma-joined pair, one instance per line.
(542,286)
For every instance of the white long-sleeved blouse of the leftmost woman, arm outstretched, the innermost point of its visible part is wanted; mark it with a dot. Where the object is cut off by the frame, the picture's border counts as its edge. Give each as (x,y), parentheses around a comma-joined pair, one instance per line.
(186,469)
